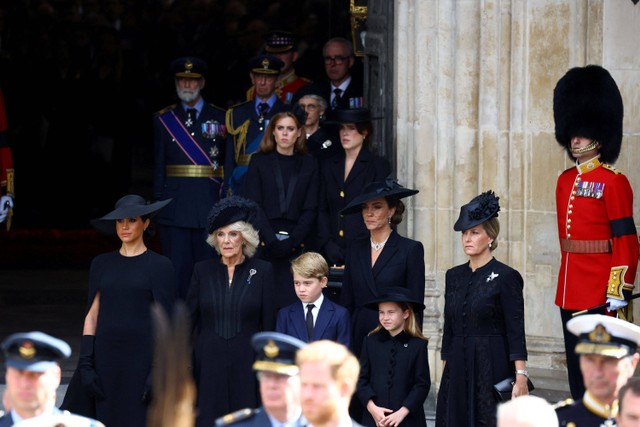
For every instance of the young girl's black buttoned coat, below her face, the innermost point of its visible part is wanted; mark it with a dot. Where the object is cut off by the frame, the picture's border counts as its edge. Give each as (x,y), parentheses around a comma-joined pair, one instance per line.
(394,372)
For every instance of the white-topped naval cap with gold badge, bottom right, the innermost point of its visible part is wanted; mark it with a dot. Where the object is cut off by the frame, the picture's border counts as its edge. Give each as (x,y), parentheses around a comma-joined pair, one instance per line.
(604,335)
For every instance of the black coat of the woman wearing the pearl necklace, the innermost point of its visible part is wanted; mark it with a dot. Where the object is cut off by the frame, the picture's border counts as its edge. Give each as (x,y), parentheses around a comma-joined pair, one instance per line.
(400,263)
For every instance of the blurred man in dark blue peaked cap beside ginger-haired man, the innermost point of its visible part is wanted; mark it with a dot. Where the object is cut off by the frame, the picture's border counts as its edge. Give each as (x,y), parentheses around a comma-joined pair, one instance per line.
(279,384)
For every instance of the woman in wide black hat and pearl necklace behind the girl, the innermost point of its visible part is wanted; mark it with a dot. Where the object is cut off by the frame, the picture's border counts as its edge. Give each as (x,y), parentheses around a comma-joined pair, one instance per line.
(381,259)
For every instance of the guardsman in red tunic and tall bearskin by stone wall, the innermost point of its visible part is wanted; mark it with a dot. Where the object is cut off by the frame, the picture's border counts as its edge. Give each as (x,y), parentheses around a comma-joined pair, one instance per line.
(594,203)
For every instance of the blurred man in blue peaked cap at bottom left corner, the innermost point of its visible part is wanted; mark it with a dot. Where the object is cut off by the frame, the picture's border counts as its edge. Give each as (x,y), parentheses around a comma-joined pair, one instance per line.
(33,376)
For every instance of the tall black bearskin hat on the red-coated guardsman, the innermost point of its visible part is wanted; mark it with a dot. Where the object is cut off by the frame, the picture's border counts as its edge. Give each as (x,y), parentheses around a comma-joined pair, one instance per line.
(587,103)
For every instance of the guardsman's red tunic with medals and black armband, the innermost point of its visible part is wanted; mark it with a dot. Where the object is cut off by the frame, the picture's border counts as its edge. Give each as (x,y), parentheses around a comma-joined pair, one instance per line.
(588,198)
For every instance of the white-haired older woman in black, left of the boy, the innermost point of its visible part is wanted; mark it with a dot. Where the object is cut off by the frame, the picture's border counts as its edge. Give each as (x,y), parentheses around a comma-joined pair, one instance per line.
(230,299)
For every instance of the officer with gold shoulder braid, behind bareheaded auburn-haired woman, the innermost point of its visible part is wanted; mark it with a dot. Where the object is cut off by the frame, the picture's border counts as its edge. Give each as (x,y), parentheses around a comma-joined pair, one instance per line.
(247,121)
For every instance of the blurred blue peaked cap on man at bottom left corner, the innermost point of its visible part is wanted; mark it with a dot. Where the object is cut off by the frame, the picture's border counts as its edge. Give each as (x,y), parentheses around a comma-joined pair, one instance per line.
(34,351)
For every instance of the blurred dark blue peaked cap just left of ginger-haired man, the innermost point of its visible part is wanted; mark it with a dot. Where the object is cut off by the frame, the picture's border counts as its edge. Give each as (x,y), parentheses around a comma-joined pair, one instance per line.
(276,352)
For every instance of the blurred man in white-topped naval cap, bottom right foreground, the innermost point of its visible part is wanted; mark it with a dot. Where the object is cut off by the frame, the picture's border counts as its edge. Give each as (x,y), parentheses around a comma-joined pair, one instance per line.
(607,348)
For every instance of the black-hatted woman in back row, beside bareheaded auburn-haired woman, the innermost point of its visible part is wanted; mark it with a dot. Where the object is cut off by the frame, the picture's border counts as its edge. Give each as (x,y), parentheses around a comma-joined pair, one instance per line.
(342,178)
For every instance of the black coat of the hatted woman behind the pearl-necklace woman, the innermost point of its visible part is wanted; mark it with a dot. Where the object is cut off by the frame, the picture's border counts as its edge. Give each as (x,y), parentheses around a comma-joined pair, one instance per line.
(335,230)
